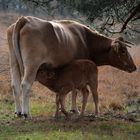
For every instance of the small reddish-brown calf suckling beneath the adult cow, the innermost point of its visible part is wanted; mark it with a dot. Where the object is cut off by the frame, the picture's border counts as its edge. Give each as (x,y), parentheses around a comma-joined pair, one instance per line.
(76,75)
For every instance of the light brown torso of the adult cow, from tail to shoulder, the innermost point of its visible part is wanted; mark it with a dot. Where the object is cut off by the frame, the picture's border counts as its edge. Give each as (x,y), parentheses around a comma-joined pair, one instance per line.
(55,43)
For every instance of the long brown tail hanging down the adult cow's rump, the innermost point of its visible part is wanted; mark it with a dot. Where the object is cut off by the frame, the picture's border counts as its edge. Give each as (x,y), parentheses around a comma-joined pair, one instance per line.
(16,41)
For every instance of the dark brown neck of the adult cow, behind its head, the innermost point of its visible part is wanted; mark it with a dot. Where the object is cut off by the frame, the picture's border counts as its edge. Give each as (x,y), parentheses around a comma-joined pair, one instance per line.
(99,47)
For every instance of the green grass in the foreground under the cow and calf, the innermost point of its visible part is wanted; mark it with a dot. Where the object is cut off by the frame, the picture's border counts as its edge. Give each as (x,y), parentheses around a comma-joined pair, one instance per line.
(44,127)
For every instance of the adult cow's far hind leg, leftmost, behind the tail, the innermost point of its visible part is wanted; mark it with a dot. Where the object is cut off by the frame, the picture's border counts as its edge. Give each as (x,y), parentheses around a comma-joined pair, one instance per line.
(15,73)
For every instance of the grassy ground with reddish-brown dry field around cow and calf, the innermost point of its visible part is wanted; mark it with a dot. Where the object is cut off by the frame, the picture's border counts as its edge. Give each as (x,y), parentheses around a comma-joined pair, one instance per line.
(119,94)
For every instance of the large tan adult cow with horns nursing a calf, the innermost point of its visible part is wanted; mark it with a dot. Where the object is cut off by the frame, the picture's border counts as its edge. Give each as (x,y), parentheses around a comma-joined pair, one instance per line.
(33,42)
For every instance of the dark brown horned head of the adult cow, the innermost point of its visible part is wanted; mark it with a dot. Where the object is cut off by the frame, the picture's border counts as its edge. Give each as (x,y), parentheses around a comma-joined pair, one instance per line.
(120,57)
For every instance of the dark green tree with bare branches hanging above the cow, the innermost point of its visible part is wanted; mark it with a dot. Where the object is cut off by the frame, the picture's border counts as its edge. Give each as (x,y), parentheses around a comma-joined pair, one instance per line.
(111,11)
